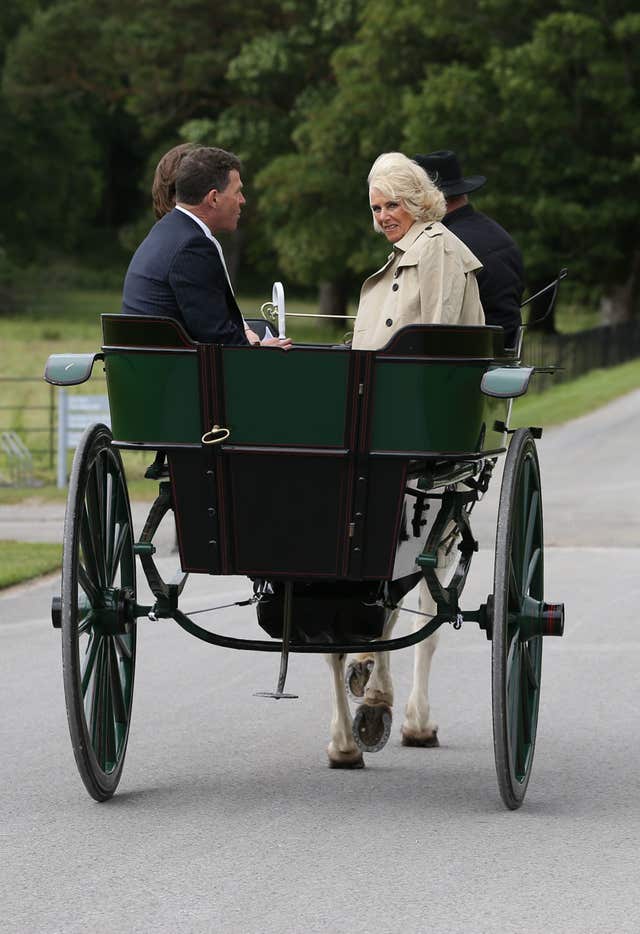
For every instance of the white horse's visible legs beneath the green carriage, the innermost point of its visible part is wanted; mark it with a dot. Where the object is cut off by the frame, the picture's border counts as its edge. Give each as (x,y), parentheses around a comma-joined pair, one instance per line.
(370,677)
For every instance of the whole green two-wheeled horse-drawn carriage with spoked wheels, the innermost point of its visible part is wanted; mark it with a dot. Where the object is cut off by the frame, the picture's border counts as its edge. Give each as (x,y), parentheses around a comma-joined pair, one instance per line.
(336,509)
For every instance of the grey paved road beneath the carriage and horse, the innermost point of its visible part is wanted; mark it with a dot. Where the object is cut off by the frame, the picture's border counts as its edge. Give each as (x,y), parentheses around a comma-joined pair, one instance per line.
(227,819)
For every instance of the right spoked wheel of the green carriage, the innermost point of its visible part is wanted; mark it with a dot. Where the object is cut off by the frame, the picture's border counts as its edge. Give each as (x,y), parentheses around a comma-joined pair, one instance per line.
(518,584)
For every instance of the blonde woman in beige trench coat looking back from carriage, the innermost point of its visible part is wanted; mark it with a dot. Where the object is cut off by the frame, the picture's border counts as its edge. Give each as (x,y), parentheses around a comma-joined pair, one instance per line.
(429,277)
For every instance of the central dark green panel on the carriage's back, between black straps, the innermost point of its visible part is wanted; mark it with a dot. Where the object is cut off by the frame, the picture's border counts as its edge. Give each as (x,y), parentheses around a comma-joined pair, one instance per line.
(296,397)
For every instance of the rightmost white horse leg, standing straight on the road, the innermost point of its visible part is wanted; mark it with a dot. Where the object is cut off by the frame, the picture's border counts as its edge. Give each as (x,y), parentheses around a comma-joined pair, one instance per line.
(418,728)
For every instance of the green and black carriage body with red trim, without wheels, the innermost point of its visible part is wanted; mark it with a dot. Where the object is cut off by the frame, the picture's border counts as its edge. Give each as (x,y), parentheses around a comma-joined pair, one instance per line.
(322,441)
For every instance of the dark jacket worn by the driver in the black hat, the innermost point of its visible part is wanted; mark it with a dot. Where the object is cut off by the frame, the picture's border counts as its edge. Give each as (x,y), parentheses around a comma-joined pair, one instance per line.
(501,280)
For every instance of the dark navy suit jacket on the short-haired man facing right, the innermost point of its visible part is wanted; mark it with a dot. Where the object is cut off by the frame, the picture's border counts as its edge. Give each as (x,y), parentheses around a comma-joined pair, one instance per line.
(177,272)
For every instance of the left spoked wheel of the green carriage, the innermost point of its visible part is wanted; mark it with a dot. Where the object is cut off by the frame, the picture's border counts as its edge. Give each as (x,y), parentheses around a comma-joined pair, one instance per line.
(97,612)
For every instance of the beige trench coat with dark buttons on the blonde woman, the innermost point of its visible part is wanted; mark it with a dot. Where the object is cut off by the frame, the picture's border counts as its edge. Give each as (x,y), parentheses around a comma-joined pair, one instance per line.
(428,279)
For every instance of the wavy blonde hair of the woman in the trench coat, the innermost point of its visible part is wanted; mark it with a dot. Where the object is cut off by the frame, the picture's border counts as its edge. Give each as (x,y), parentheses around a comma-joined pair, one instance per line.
(403,180)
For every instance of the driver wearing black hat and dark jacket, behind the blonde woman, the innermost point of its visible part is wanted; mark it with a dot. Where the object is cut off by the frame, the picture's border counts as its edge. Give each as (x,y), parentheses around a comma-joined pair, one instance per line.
(501,280)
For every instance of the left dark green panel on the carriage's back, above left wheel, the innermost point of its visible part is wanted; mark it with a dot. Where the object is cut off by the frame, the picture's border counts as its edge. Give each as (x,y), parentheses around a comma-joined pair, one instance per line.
(154,397)
